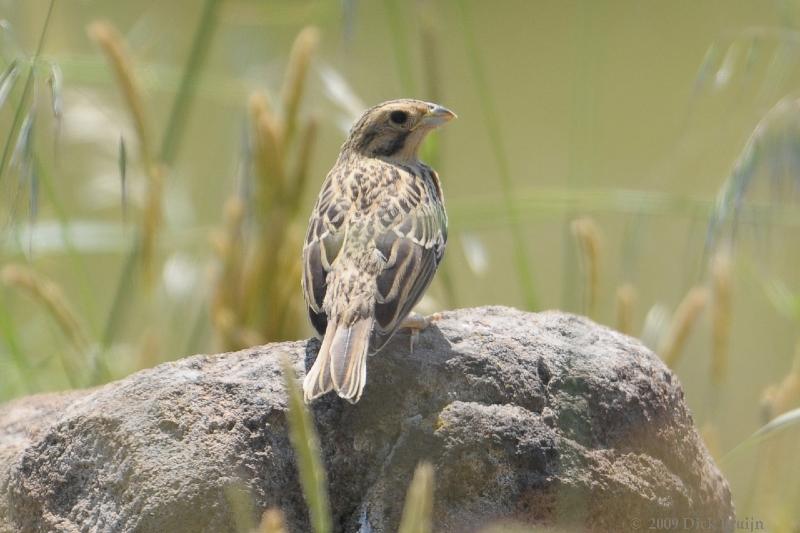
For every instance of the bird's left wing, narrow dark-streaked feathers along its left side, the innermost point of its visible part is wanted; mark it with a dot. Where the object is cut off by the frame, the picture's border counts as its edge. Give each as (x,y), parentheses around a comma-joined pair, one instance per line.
(323,242)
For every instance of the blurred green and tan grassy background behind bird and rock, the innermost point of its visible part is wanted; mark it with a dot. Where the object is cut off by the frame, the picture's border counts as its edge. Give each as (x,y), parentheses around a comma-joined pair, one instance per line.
(637,163)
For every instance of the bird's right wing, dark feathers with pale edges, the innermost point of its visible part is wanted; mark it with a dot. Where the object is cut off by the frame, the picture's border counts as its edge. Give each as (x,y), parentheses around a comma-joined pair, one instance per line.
(414,247)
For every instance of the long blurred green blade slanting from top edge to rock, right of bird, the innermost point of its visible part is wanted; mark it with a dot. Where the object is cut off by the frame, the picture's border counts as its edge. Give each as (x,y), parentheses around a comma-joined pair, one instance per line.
(522,261)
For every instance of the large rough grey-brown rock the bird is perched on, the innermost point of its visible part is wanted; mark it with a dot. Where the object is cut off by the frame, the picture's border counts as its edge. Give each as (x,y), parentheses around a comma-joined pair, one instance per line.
(538,418)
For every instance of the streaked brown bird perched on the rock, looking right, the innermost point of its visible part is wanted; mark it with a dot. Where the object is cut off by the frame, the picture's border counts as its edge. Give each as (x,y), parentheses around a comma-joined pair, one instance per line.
(375,238)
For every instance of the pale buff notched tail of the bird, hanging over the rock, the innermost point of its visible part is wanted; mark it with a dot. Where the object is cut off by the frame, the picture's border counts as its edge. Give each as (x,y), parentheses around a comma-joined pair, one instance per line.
(342,361)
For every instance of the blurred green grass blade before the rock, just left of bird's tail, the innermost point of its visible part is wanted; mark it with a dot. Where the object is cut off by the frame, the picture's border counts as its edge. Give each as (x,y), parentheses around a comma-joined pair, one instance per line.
(306,448)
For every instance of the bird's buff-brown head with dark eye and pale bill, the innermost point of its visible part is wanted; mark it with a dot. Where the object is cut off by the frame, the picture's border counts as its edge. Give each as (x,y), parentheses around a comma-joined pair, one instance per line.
(395,129)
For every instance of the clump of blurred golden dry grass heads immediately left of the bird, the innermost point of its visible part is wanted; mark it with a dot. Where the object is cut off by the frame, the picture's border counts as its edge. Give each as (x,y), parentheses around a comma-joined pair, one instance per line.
(255,293)
